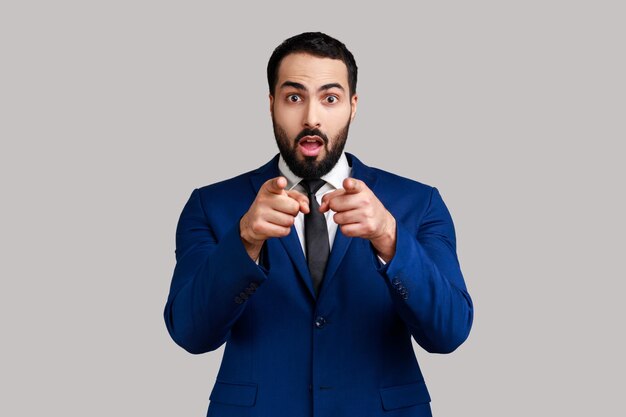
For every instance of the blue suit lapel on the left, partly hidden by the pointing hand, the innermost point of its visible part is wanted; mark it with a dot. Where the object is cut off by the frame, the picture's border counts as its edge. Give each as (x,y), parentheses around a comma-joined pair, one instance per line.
(291,243)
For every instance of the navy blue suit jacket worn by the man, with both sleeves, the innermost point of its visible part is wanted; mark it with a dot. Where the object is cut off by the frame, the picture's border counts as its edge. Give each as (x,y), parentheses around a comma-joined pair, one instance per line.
(345,352)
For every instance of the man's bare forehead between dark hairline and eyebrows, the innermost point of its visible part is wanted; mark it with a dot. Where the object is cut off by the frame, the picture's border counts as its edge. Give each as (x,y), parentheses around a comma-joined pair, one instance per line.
(312,71)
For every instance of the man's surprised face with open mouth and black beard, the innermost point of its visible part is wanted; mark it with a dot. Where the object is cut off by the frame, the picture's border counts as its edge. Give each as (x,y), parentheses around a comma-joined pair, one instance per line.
(311,112)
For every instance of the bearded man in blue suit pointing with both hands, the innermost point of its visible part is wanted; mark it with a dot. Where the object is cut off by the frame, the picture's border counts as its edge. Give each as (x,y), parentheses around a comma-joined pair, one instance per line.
(315,269)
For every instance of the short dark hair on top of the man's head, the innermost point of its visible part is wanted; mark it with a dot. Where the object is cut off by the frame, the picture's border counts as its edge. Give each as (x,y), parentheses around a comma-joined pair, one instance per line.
(317,44)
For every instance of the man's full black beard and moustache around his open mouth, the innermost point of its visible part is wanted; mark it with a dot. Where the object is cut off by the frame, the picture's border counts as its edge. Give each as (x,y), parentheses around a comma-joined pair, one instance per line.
(310,168)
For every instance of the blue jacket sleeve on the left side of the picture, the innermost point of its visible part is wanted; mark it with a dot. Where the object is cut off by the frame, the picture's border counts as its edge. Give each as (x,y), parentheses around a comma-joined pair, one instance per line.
(212,281)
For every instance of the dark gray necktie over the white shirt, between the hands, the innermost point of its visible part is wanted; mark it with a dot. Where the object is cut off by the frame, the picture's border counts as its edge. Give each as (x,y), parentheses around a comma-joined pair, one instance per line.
(315,234)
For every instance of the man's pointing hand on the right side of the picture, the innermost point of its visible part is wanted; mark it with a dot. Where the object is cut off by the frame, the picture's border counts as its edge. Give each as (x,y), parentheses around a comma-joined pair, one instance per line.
(360,213)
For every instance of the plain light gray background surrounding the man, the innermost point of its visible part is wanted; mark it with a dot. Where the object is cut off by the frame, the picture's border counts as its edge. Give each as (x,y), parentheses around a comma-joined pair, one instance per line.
(112,112)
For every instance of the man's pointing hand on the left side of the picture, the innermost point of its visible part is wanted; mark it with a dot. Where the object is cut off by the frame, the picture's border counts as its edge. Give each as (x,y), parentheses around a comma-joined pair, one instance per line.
(271,214)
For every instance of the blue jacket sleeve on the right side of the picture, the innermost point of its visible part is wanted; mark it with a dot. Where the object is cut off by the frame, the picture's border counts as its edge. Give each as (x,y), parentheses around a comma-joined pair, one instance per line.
(426,282)
